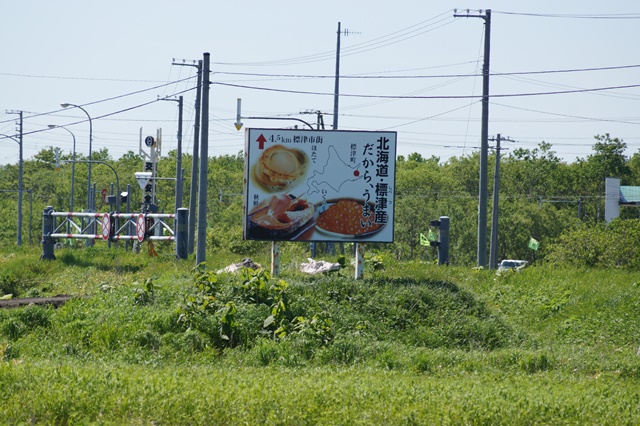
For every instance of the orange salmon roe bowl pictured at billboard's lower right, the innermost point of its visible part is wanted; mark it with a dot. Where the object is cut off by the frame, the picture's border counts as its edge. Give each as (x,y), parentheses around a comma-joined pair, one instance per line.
(347,217)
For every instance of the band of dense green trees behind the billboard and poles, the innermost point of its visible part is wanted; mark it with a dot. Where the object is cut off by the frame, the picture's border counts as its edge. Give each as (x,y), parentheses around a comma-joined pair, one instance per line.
(541,196)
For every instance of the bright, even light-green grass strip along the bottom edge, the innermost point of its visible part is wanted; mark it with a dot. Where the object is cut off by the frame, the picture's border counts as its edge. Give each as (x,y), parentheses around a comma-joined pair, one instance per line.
(217,394)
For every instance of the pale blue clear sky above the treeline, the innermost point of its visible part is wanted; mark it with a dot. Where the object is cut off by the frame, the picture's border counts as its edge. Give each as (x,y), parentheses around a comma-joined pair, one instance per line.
(421,65)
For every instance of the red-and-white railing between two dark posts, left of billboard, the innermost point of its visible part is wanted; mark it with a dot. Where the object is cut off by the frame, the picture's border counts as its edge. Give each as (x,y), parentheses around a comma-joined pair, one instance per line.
(144,224)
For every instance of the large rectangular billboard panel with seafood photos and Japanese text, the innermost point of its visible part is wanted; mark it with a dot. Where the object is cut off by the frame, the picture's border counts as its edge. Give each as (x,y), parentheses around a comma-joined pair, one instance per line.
(319,185)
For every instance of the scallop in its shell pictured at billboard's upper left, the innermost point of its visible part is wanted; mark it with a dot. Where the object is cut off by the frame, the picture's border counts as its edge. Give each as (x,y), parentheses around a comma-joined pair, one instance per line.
(280,168)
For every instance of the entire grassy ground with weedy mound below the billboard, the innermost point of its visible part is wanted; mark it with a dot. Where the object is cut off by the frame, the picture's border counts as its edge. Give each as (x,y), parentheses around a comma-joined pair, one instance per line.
(153,341)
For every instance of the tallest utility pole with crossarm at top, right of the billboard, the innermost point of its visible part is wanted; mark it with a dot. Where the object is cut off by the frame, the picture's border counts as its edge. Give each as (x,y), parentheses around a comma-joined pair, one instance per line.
(484,136)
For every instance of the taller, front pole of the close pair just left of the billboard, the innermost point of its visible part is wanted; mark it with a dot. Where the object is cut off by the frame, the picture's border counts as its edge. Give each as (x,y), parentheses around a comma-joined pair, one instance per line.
(204,158)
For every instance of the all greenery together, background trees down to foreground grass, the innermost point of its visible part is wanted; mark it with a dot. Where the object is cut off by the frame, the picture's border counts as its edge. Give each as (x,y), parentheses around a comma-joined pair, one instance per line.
(153,340)
